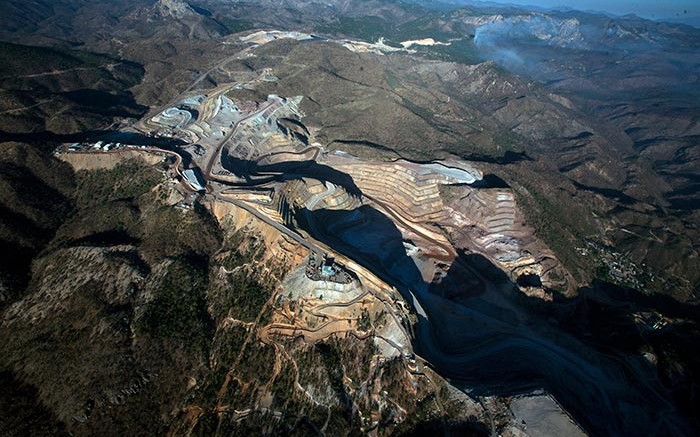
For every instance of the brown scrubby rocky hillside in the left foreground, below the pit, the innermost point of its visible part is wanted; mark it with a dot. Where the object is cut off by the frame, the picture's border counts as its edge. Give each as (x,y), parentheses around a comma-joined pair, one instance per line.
(179,329)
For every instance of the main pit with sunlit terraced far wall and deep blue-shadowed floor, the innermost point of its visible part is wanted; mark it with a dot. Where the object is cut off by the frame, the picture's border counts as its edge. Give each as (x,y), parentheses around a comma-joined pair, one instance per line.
(458,252)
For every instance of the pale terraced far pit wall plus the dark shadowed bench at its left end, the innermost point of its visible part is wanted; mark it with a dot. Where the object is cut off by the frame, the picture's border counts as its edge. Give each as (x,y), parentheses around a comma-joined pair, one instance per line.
(439,213)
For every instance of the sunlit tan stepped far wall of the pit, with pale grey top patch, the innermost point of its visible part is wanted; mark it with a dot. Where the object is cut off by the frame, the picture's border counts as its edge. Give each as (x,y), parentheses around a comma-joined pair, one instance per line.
(433,199)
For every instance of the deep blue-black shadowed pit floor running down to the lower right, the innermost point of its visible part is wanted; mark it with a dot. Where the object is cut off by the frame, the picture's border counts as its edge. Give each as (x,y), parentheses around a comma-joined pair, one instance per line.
(488,343)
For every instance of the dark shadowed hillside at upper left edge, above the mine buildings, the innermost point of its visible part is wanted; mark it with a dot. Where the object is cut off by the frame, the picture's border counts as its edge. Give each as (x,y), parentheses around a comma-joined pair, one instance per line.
(54,91)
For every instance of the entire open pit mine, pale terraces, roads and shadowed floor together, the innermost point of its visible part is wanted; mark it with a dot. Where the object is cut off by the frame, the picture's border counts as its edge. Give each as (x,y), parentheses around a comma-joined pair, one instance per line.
(438,257)
